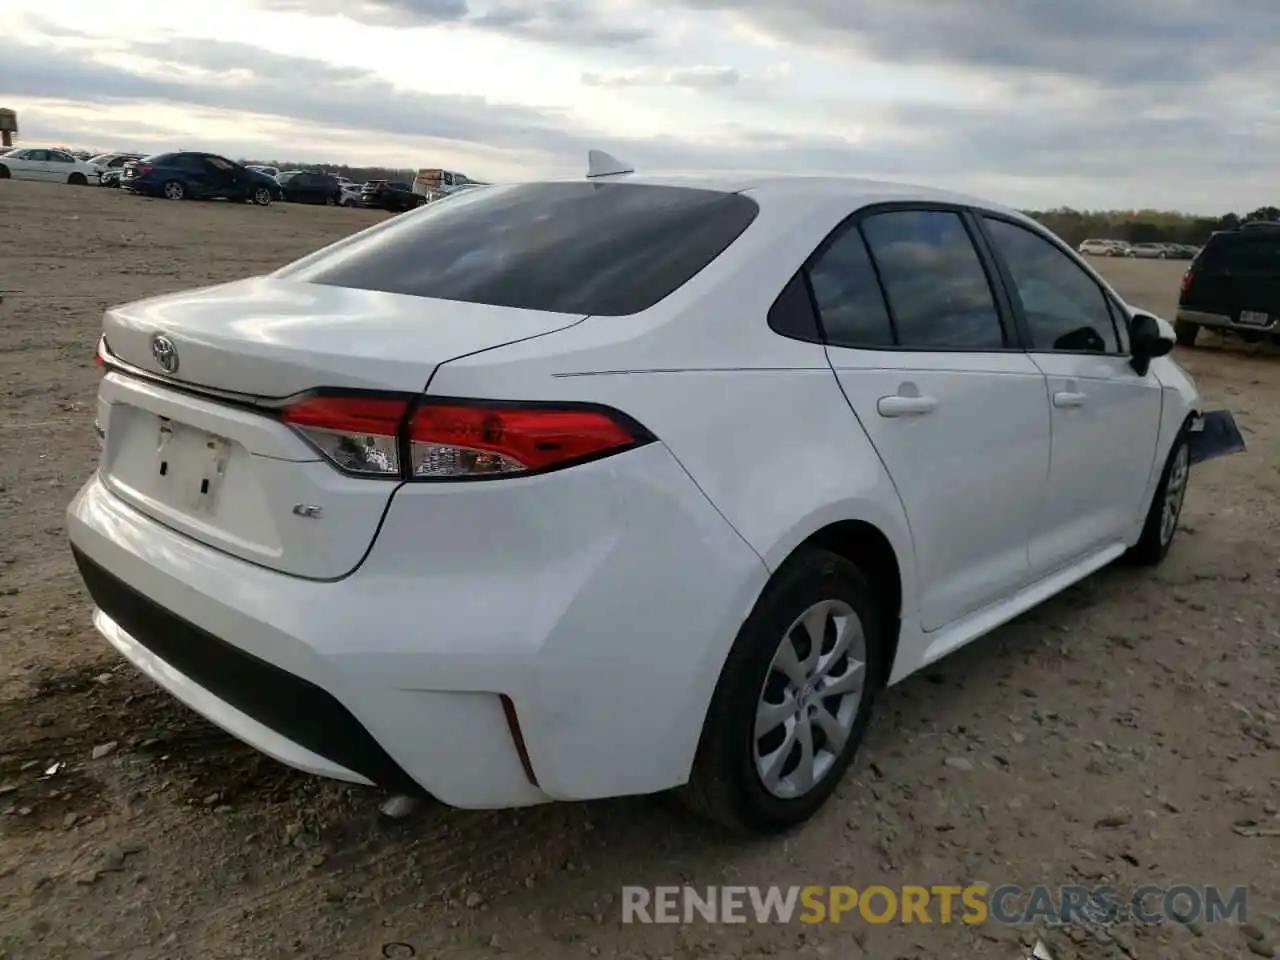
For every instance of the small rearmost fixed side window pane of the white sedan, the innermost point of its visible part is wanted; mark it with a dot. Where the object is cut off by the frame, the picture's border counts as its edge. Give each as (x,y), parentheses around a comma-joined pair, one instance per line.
(849,296)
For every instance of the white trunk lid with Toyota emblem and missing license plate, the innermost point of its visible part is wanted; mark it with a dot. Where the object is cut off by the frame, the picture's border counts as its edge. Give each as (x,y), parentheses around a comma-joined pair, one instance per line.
(239,479)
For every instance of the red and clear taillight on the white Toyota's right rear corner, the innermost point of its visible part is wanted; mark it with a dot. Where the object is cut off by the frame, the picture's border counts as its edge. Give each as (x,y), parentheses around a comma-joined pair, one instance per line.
(436,440)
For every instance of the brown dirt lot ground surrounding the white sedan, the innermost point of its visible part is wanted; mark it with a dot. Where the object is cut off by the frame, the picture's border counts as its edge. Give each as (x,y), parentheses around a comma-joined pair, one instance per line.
(1126,733)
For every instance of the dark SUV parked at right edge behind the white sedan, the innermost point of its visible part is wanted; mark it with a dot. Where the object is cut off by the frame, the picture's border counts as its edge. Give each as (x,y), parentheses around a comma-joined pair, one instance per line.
(1235,286)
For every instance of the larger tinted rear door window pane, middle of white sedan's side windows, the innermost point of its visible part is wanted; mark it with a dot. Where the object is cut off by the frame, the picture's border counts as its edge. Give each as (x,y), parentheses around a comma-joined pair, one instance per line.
(934,280)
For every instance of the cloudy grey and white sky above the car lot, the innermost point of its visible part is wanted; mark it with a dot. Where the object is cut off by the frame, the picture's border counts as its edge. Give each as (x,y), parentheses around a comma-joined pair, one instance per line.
(1032,103)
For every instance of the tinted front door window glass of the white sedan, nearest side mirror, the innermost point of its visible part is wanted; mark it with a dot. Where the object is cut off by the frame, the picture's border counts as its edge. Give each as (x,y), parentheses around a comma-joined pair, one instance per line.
(1066,309)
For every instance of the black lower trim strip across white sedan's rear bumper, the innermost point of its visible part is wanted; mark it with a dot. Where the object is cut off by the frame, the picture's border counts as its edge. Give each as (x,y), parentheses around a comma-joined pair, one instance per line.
(295,708)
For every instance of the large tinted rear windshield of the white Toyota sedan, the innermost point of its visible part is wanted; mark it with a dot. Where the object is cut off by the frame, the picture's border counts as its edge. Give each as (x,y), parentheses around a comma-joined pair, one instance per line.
(601,249)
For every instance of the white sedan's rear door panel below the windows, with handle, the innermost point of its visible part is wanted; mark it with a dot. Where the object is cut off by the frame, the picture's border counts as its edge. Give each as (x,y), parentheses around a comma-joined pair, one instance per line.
(968,449)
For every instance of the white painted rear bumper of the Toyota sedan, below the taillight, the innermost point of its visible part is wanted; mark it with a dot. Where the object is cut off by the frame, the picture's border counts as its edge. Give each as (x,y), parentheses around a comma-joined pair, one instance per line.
(601,610)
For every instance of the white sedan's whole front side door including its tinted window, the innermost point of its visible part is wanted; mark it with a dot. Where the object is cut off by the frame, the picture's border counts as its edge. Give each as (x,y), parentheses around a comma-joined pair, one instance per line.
(1107,418)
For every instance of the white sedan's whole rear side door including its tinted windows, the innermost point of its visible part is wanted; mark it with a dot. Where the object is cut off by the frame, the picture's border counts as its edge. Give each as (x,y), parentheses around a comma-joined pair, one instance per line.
(956,409)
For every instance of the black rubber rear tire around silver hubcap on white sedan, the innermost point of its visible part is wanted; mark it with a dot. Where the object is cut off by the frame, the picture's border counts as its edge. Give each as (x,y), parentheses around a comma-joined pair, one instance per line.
(725,785)
